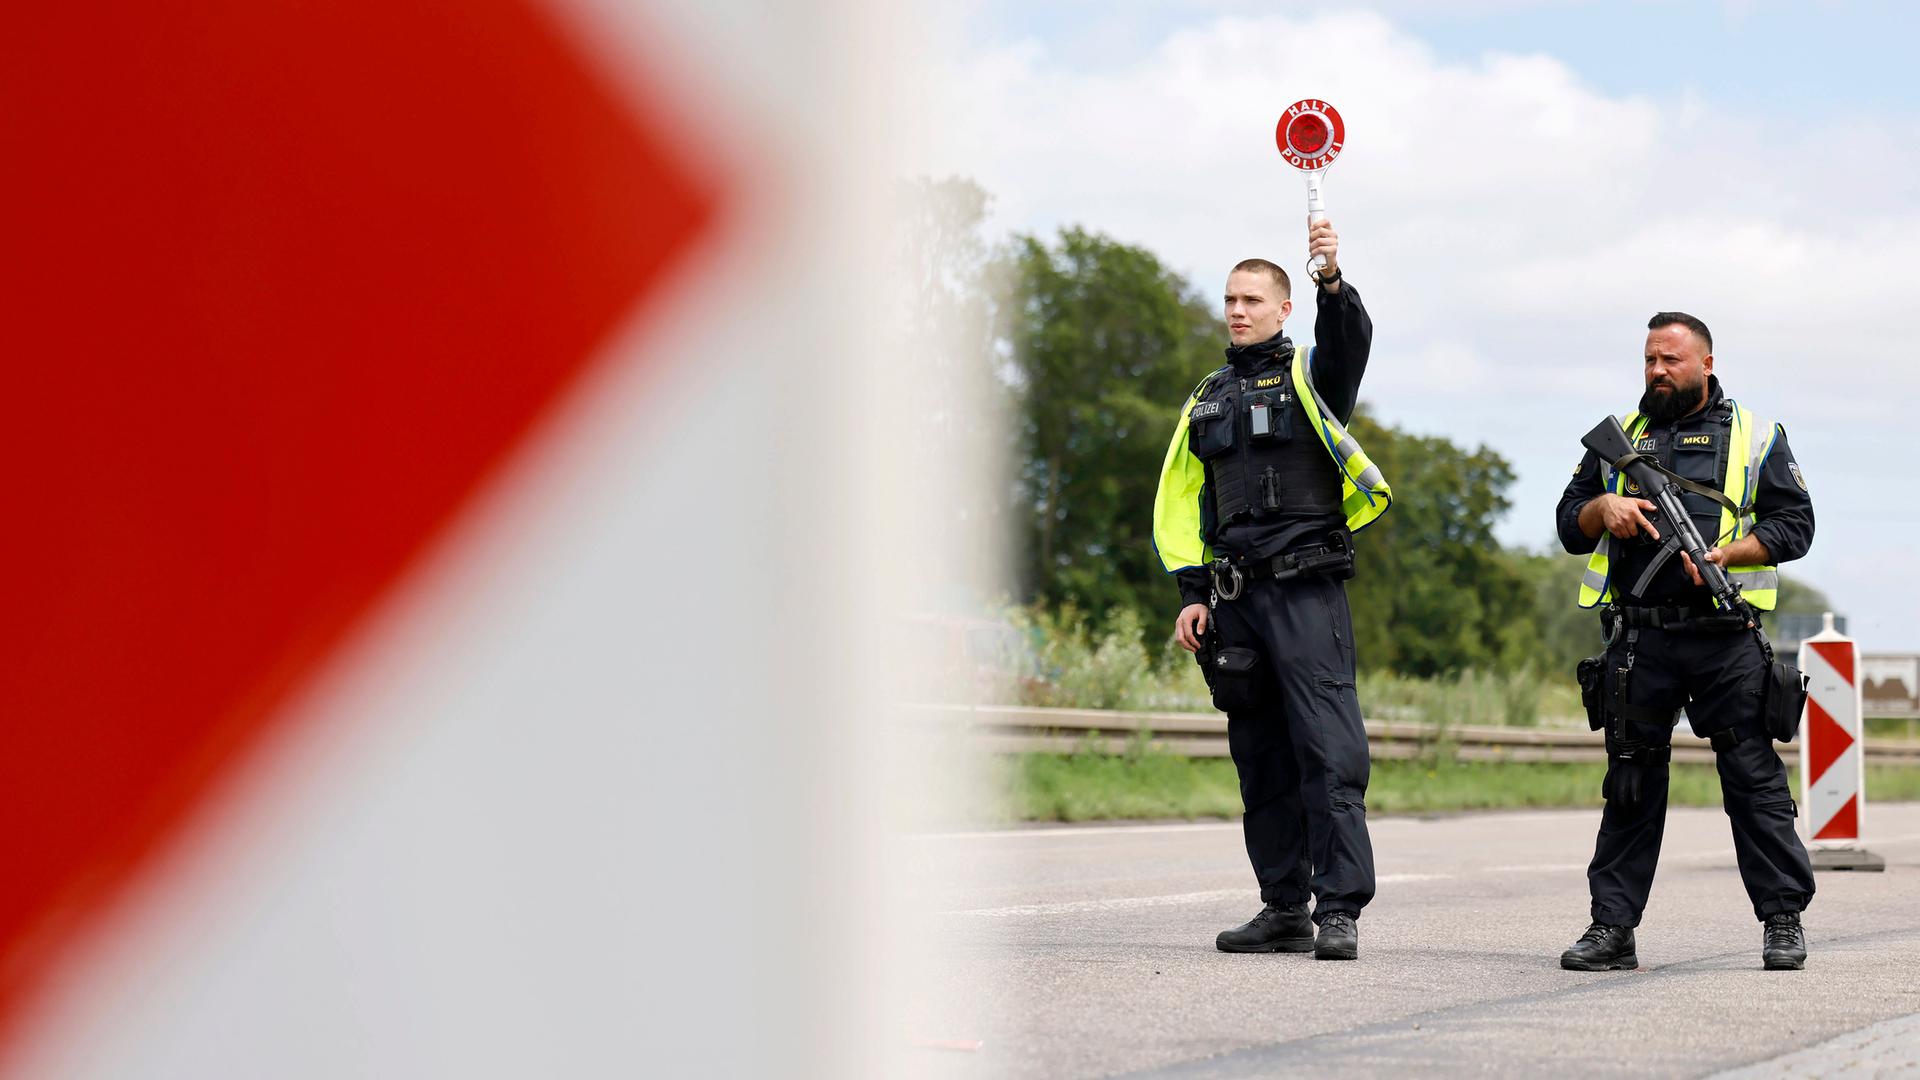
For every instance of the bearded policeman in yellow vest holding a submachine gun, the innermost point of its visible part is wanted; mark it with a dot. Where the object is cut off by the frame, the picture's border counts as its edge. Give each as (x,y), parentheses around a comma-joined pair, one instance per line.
(1671,647)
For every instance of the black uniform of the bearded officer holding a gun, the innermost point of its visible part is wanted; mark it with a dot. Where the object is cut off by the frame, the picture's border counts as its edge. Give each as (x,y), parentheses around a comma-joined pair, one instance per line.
(1700,660)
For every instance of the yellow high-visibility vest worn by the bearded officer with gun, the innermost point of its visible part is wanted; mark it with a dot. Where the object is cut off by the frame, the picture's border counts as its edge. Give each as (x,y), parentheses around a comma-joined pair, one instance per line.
(1733,458)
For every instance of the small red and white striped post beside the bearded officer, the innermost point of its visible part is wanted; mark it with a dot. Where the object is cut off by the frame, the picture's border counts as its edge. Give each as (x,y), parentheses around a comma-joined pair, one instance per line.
(1833,752)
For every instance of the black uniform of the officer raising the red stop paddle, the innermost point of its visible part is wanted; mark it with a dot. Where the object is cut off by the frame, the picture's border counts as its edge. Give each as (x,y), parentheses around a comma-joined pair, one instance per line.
(1303,749)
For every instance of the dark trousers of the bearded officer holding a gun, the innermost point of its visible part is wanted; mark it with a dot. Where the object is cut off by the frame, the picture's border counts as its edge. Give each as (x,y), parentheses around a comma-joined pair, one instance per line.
(1719,679)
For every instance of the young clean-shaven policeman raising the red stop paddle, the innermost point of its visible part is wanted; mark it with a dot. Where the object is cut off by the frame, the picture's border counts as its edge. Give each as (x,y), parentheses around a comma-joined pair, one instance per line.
(1259,501)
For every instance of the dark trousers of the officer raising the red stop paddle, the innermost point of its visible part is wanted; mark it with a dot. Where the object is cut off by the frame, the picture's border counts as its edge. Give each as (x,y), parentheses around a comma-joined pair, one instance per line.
(1303,756)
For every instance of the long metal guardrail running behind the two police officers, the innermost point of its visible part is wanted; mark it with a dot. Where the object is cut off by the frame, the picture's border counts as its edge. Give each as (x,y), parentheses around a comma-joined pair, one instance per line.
(1015,729)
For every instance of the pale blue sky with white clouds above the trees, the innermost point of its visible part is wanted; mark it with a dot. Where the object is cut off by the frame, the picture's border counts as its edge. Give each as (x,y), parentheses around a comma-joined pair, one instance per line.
(1524,185)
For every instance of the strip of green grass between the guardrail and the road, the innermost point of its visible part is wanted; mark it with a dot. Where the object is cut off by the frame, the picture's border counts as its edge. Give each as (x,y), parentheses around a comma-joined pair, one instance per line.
(1155,785)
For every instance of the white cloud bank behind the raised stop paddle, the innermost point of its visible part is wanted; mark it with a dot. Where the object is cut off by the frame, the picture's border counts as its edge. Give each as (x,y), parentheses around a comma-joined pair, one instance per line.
(1510,226)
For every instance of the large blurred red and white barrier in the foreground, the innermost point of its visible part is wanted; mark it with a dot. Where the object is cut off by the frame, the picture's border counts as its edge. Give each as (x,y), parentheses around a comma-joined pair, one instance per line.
(418,483)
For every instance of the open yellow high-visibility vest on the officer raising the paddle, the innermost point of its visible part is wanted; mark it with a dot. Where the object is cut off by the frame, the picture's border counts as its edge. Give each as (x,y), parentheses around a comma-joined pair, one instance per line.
(1364,491)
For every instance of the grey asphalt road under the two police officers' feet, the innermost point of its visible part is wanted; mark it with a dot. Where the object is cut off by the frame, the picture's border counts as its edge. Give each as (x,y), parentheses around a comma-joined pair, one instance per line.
(1090,952)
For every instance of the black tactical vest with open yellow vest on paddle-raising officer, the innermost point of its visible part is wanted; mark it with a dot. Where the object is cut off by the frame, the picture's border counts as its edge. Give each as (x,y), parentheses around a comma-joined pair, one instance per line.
(1301,439)
